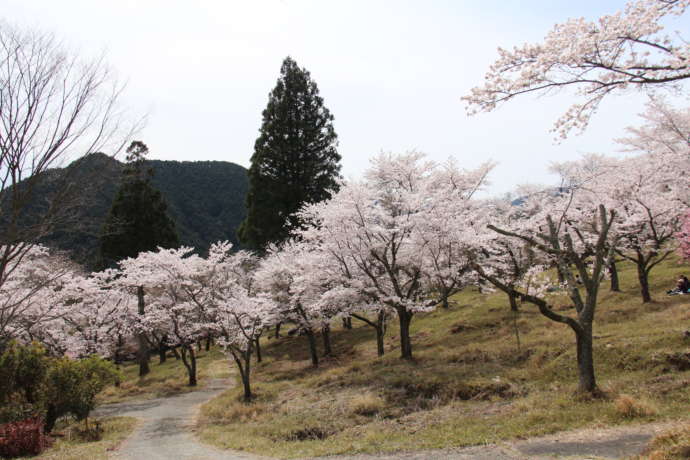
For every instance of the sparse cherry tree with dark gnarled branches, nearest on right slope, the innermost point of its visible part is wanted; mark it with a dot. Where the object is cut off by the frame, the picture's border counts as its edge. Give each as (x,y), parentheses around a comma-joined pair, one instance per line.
(563,232)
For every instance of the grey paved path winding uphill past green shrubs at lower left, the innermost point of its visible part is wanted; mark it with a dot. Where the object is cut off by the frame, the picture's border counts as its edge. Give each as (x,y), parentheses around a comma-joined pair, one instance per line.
(166,431)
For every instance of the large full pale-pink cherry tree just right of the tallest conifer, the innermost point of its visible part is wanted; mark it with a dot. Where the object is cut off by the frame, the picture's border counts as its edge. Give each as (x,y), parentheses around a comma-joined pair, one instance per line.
(374,229)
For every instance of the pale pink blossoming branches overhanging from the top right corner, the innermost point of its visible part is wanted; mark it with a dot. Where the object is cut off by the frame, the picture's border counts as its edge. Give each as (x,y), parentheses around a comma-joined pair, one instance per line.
(613,54)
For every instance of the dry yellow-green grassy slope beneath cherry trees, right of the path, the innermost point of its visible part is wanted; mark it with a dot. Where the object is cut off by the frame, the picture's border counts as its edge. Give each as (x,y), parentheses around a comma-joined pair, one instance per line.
(468,384)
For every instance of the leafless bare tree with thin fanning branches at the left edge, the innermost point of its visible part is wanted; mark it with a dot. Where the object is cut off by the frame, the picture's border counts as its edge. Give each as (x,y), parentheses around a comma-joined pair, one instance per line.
(54,107)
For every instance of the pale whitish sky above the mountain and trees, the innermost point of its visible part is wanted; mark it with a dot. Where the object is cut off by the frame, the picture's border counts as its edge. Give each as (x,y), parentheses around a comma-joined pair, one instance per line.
(392,72)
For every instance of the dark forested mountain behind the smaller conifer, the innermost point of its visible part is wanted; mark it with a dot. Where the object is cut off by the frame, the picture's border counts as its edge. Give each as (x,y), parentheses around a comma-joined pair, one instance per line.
(205,198)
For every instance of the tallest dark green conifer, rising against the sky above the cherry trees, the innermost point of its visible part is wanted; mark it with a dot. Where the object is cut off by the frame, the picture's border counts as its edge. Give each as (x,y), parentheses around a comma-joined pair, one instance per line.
(295,158)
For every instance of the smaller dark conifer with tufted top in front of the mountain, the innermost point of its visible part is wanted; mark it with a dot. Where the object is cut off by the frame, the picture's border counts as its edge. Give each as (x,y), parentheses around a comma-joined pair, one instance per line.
(138,219)
